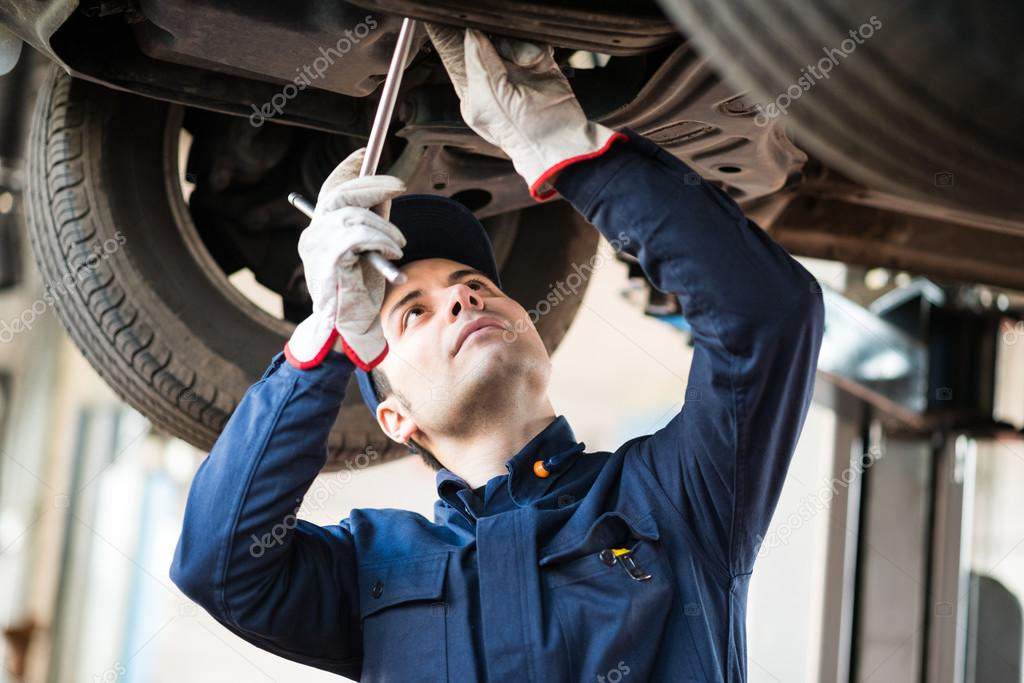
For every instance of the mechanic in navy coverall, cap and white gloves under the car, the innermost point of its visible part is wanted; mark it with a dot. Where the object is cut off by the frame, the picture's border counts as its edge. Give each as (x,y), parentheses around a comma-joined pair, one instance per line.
(544,563)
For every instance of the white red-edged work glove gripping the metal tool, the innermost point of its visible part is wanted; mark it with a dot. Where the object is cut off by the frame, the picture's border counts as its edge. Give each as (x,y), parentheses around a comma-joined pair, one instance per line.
(347,291)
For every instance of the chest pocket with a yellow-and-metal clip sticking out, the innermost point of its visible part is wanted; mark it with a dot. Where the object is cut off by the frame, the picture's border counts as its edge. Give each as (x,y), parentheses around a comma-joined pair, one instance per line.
(612,606)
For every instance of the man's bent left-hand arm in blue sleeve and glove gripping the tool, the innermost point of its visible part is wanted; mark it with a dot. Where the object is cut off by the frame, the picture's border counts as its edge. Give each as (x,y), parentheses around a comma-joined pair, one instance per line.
(283,584)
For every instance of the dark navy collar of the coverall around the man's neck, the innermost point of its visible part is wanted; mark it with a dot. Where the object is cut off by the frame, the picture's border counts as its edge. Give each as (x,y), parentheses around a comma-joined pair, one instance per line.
(556,446)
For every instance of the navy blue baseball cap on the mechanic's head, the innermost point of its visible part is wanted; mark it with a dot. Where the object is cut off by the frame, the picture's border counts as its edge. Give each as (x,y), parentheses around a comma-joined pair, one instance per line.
(436,227)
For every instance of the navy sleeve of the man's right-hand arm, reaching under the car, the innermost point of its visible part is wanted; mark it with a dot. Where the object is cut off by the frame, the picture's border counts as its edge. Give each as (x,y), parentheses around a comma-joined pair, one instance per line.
(757,318)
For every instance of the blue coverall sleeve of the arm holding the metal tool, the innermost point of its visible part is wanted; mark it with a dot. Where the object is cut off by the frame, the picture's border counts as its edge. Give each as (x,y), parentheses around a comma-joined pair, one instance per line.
(285,585)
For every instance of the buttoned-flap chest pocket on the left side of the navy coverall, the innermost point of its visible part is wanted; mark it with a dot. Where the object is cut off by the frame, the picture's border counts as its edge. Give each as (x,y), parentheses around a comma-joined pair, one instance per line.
(404,616)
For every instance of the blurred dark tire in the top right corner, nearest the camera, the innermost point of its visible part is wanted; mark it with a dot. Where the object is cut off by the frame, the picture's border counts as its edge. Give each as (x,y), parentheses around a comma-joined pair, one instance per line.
(928,105)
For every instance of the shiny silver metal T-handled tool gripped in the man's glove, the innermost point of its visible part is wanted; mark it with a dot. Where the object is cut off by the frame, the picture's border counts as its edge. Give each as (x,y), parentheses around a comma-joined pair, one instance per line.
(376,143)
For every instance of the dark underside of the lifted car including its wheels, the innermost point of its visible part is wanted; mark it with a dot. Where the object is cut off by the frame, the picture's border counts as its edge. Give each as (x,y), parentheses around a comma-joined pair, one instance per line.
(180,127)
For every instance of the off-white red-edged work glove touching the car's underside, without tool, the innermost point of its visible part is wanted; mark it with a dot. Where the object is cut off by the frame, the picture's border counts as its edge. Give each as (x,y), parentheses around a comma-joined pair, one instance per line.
(515,96)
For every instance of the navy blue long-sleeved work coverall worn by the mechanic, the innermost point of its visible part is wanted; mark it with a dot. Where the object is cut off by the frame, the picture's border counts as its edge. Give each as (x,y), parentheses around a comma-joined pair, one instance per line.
(517,581)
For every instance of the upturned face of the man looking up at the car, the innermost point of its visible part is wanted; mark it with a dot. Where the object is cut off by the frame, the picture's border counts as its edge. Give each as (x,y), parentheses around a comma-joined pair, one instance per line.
(459,351)
